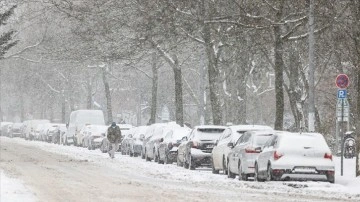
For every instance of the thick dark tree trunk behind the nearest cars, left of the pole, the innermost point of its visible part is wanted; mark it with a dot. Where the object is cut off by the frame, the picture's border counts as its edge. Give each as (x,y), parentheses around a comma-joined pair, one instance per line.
(279,79)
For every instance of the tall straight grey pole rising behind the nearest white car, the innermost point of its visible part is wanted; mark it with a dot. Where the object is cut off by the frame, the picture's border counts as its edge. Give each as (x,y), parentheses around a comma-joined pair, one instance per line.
(311,118)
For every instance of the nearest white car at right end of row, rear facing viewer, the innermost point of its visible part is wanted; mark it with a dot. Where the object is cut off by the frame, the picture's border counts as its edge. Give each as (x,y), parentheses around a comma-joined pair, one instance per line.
(295,156)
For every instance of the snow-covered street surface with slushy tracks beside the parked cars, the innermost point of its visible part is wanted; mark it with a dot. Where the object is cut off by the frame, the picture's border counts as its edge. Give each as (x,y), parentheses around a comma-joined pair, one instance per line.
(62,173)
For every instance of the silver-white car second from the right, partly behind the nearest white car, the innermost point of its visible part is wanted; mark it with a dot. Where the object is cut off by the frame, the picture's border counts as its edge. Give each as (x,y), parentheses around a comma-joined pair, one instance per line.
(241,159)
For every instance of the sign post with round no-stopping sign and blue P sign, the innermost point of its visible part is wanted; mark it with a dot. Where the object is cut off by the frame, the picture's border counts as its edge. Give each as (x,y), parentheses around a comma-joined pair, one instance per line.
(342,112)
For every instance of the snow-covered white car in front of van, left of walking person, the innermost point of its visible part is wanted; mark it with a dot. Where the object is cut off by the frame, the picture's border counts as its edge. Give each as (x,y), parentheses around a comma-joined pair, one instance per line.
(92,132)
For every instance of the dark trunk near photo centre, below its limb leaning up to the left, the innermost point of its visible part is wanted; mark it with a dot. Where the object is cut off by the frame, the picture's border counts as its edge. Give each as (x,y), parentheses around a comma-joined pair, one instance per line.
(179,112)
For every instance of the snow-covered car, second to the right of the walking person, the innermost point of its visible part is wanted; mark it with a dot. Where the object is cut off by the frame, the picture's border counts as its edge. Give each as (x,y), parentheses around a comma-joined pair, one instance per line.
(135,145)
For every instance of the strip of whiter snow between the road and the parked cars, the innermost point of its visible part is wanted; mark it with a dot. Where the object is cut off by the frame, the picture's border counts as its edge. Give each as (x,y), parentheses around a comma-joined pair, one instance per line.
(345,187)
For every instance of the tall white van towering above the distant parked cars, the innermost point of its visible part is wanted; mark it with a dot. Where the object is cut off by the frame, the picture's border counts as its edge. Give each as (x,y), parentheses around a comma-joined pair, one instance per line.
(79,119)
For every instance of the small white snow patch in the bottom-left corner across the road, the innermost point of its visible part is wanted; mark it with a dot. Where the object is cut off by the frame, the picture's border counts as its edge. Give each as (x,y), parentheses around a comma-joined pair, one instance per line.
(12,190)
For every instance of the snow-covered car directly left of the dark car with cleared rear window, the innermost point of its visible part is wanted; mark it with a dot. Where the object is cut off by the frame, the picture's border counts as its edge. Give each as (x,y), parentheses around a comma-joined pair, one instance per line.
(168,146)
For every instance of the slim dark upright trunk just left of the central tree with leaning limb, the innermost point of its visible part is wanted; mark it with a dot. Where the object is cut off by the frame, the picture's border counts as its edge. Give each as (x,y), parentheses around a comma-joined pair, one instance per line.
(154,90)
